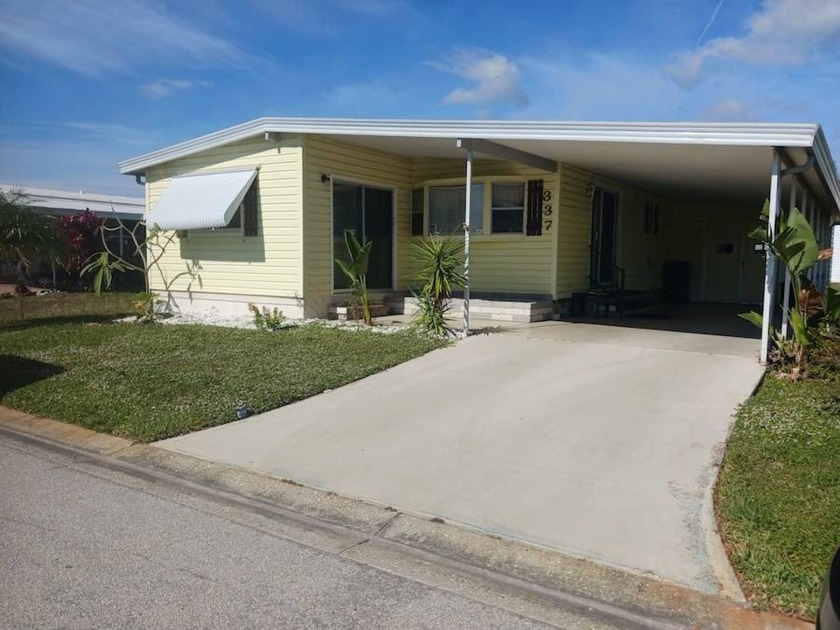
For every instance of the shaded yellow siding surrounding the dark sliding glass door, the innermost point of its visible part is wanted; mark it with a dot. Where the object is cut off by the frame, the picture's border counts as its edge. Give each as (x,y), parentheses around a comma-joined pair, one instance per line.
(355,164)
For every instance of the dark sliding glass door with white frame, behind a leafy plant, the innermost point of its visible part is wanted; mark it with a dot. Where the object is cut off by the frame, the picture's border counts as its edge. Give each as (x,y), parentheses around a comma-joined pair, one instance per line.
(367,212)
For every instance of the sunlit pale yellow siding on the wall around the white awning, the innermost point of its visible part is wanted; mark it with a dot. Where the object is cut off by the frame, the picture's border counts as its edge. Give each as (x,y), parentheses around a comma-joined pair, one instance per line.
(263,265)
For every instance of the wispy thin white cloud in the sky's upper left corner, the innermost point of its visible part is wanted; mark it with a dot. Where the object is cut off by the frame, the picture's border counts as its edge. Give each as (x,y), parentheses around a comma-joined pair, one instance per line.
(98,37)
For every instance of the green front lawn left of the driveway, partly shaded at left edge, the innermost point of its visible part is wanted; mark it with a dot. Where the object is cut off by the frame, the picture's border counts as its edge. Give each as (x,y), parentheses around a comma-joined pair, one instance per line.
(148,382)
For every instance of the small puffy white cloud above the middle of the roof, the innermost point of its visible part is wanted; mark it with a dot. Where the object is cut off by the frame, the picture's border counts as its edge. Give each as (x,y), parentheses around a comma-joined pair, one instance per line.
(496,79)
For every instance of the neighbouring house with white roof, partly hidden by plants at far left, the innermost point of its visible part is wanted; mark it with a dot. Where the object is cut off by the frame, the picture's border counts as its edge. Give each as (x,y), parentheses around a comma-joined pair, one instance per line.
(60,203)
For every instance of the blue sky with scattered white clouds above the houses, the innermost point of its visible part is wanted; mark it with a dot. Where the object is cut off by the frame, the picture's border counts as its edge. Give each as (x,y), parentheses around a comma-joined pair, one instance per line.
(89,82)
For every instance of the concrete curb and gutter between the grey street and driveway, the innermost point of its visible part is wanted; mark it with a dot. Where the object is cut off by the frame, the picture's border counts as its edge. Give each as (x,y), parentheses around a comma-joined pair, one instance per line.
(409,544)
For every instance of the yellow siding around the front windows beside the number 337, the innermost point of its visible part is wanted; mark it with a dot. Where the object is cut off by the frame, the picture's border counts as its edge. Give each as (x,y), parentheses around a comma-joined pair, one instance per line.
(507,263)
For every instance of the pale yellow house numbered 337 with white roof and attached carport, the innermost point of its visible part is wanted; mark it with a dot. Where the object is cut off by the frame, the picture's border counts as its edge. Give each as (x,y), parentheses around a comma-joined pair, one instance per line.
(557,208)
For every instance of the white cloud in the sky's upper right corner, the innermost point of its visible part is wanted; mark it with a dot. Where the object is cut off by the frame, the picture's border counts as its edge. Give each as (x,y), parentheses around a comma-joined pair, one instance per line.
(788,32)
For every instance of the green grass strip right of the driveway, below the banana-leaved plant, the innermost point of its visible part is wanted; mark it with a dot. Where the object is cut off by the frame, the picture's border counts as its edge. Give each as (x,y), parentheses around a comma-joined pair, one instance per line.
(778,496)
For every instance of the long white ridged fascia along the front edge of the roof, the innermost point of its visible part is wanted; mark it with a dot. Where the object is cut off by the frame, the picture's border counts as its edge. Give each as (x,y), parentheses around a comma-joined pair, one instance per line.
(732,134)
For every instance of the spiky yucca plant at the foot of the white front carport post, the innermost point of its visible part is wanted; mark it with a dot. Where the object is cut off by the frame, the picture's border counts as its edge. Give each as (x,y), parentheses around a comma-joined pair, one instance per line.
(440,272)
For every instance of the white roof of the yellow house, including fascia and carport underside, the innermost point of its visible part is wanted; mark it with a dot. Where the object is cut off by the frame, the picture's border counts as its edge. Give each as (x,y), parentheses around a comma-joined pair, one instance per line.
(711,161)
